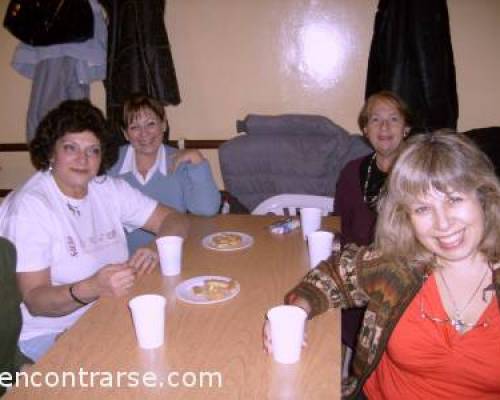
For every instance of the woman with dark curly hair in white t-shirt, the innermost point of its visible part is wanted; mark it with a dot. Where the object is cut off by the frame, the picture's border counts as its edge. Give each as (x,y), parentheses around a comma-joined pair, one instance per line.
(68,222)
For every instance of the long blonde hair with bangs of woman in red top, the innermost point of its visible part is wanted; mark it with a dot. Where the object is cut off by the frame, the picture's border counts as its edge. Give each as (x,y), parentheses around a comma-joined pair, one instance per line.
(442,161)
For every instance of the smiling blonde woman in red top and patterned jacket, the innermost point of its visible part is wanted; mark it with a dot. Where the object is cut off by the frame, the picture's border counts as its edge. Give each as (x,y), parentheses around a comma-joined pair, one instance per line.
(431,281)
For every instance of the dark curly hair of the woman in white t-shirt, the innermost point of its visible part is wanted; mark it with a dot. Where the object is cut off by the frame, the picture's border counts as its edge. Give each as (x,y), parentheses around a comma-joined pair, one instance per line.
(71,116)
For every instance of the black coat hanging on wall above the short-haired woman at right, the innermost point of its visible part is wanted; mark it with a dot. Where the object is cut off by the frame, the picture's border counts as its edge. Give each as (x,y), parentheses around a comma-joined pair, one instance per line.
(411,54)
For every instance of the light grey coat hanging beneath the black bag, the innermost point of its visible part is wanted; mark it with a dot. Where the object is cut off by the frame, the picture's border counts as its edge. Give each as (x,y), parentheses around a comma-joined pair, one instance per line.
(63,70)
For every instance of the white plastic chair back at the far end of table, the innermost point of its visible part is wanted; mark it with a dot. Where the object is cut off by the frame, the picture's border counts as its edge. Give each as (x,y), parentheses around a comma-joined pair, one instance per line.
(288,204)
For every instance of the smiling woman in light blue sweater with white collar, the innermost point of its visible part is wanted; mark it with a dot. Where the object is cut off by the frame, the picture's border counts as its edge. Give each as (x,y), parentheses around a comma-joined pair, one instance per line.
(181,179)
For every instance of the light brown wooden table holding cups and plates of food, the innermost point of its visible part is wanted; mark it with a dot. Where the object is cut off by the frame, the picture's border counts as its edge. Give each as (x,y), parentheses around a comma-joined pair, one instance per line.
(223,338)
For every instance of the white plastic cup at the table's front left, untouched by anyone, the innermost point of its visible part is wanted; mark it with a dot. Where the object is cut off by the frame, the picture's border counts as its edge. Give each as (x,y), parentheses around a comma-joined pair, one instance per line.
(148,315)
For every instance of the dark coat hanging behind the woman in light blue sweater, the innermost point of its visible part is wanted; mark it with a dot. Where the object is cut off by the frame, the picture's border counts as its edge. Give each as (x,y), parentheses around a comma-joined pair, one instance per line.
(139,56)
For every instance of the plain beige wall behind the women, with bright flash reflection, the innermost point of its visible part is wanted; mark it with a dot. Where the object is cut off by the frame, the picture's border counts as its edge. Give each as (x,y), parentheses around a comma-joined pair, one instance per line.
(235,57)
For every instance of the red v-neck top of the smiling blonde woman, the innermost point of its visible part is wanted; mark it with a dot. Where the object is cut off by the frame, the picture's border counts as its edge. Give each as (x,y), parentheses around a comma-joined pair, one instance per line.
(430,360)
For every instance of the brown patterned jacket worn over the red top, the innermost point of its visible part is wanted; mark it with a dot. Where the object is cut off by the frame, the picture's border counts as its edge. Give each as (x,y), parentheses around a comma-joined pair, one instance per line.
(360,277)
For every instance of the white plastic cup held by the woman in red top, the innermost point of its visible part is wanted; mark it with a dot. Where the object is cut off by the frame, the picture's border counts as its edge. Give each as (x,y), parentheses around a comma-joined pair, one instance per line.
(286,324)
